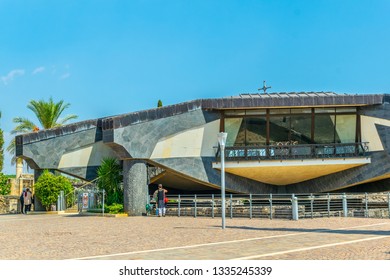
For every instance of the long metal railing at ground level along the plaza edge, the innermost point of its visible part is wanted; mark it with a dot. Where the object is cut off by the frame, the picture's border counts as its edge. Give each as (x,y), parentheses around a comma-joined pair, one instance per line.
(281,206)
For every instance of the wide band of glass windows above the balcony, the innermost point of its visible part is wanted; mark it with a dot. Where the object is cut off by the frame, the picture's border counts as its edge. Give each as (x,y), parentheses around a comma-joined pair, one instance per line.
(291,126)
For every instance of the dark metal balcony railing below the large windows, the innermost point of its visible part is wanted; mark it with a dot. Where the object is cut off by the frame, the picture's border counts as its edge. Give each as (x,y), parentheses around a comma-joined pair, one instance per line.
(288,150)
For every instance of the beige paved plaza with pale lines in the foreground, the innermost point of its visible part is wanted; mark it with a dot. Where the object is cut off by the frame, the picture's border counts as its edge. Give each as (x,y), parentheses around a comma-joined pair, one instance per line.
(37,237)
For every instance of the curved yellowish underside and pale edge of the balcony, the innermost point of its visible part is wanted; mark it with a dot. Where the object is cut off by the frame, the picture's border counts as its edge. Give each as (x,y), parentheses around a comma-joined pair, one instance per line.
(286,172)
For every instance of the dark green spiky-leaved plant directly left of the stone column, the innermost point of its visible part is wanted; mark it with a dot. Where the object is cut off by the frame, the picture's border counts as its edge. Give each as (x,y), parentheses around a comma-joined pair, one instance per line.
(110,179)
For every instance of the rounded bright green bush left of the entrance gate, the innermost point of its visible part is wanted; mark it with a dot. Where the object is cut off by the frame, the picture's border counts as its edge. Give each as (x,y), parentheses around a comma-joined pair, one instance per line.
(48,187)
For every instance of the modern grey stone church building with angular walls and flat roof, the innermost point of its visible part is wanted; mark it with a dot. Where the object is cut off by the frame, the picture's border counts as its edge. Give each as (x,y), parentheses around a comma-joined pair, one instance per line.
(307,142)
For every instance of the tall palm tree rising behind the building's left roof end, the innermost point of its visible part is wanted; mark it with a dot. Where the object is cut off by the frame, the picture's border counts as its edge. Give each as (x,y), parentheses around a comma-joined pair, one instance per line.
(48,114)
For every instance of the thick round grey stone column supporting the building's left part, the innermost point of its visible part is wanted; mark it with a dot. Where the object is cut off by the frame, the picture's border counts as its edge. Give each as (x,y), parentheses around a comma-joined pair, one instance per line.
(135,187)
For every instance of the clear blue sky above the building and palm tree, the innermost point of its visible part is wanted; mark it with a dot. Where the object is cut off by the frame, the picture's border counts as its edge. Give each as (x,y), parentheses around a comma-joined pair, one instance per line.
(113,57)
